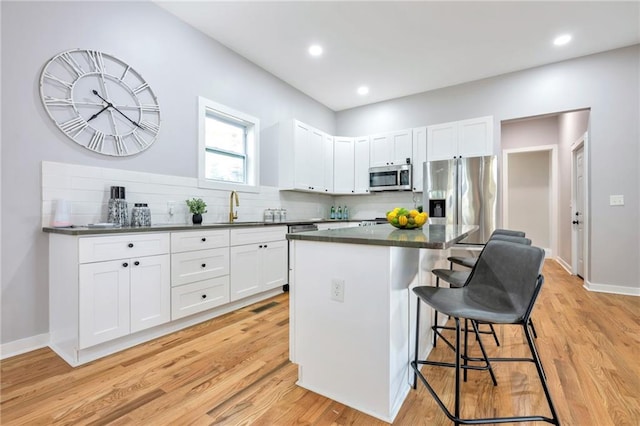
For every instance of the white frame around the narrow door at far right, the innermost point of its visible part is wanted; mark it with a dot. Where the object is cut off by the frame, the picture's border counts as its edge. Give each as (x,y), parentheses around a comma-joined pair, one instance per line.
(582,142)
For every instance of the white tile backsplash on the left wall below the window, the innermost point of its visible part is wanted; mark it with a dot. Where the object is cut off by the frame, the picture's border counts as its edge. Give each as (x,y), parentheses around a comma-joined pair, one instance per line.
(87,189)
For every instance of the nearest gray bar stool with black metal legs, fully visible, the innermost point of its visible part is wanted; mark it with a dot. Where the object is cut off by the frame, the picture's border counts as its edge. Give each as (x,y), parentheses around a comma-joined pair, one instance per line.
(502,289)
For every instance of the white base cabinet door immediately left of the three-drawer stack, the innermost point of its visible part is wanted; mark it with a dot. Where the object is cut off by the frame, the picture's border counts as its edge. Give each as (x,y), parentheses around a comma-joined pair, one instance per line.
(150,292)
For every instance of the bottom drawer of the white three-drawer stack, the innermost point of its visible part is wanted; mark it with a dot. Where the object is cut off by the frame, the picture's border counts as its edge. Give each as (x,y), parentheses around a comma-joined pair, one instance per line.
(199,296)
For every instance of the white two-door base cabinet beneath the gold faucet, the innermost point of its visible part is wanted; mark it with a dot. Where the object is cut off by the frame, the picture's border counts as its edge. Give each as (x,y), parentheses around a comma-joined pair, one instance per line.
(258,260)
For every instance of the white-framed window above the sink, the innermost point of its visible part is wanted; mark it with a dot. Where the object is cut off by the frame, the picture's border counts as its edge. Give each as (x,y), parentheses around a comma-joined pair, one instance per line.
(228,148)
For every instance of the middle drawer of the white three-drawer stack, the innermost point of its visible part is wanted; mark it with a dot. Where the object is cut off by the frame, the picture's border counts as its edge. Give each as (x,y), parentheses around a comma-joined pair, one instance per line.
(199,265)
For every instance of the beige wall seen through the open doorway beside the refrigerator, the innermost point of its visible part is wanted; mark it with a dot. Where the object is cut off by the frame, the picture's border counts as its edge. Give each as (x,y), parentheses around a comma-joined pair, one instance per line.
(529,195)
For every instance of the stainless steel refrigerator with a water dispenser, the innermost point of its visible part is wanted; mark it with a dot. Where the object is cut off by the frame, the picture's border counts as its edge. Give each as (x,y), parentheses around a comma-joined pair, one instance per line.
(463,191)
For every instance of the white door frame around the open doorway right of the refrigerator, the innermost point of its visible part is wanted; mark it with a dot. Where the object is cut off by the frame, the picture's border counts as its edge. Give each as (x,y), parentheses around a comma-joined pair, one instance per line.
(553,196)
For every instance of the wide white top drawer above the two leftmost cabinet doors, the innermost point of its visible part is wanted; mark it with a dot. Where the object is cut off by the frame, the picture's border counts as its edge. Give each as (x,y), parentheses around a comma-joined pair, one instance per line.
(97,249)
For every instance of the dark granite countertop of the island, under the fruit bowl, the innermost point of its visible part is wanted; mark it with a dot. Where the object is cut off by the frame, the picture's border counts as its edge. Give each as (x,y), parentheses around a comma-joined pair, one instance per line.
(429,237)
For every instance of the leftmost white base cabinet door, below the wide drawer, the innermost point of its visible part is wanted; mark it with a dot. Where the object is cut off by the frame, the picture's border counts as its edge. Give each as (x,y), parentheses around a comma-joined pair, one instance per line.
(103,302)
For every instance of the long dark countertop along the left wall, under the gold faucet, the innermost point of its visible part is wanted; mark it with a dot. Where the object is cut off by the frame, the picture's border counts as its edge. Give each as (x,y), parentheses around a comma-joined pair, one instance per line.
(82,230)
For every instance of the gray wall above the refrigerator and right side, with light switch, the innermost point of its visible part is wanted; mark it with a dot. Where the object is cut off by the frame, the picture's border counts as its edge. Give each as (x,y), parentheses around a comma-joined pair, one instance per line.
(608,83)
